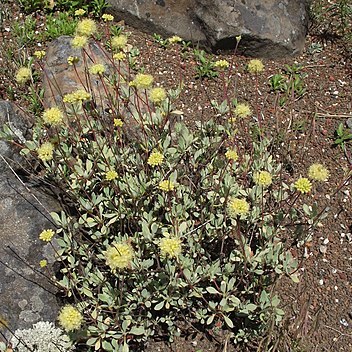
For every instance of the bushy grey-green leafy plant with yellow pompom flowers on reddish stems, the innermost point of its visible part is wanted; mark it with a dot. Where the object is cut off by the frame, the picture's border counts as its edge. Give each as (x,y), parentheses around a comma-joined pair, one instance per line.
(165,223)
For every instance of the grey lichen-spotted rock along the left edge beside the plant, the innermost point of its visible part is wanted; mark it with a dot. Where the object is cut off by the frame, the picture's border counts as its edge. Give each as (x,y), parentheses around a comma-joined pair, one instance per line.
(26,296)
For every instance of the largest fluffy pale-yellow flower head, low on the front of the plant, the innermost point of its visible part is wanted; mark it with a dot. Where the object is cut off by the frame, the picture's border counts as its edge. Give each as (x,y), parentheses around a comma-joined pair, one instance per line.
(119,255)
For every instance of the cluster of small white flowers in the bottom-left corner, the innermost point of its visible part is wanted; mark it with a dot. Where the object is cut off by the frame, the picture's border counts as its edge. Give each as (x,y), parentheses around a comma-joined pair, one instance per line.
(43,337)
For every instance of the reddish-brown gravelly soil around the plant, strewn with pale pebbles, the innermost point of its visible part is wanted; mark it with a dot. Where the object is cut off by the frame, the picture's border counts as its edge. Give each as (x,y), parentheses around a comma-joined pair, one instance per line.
(318,308)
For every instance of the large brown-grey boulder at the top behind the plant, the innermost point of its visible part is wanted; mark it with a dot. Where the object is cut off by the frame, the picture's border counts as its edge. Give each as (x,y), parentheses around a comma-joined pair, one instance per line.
(269,28)
